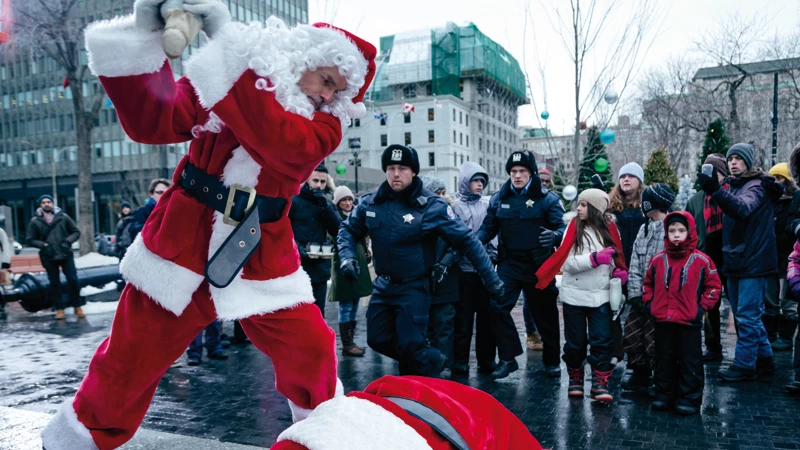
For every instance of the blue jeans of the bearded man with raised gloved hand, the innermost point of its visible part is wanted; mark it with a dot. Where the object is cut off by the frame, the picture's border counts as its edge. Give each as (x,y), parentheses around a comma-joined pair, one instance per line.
(746,296)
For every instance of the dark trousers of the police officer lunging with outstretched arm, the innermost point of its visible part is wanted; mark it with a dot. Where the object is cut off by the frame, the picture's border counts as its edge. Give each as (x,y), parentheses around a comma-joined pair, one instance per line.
(397,323)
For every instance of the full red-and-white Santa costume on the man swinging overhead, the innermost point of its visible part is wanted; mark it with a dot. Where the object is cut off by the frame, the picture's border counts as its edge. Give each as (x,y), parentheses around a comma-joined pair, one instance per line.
(255,138)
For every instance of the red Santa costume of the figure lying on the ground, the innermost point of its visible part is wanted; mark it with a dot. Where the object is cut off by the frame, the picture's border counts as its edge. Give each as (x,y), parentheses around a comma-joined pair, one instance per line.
(410,413)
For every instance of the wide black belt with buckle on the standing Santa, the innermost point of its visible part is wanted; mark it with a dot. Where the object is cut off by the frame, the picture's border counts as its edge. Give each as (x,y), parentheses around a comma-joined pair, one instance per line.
(243,209)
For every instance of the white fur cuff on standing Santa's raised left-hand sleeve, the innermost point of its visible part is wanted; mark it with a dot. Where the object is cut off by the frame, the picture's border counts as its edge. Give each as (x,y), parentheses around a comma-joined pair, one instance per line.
(117,49)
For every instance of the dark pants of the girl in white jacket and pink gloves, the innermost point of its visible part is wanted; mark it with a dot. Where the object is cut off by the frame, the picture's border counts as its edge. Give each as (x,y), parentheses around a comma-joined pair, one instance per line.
(577,319)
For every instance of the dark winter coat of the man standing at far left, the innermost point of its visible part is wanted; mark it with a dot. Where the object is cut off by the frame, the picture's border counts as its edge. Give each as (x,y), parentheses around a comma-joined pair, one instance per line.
(59,236)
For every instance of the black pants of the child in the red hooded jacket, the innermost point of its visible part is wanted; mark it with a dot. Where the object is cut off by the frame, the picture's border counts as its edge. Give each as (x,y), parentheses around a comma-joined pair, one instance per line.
(679,375)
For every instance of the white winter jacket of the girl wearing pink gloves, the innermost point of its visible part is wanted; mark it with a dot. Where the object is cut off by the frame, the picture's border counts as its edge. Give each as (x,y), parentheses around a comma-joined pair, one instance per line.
(582,284)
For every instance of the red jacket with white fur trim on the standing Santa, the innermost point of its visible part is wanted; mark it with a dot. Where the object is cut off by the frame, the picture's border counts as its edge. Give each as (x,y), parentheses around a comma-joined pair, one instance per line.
(248,124)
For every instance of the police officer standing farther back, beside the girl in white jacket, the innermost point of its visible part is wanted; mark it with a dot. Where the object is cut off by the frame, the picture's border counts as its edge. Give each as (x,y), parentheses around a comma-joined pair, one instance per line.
(528,219)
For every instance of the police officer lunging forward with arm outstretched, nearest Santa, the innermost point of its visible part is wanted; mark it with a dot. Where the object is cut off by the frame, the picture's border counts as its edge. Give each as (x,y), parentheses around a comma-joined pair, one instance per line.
(405,222)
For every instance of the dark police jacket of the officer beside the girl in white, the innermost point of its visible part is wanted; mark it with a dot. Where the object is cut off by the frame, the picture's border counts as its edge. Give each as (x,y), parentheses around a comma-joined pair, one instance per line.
(518,220)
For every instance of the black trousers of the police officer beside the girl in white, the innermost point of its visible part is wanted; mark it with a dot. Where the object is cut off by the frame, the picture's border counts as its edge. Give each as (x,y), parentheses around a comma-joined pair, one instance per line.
(519,277)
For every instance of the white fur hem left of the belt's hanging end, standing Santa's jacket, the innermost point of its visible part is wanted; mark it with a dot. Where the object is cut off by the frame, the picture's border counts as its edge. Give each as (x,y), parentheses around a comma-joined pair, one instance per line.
(167,283)
